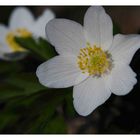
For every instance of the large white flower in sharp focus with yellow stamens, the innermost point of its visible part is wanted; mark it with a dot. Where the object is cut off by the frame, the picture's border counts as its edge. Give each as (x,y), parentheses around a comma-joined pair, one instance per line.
(90,59)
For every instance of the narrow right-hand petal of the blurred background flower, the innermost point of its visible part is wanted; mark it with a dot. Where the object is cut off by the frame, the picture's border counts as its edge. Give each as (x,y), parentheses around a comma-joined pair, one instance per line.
(40,24)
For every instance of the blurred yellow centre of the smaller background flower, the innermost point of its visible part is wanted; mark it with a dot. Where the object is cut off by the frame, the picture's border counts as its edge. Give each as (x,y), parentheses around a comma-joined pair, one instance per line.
(10,38)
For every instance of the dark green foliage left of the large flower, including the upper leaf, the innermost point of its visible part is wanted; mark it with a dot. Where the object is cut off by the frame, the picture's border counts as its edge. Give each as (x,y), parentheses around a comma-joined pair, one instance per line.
(25,105)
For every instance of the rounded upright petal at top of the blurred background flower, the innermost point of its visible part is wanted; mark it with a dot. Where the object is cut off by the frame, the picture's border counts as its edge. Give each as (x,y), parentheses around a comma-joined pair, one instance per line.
(21,17)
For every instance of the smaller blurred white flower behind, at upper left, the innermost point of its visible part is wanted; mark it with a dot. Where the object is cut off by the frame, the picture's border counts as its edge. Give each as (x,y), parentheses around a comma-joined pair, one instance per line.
(23,24)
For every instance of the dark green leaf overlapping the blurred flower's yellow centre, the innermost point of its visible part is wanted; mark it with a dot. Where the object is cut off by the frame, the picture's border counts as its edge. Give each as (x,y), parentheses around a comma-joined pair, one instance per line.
(39,47)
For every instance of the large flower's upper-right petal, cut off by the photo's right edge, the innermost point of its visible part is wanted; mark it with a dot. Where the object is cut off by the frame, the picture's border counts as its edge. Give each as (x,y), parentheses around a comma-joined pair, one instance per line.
(124,47)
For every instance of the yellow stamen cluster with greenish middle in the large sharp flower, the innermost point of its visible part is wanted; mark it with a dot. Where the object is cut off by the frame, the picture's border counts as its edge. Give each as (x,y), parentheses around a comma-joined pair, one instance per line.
(94,61)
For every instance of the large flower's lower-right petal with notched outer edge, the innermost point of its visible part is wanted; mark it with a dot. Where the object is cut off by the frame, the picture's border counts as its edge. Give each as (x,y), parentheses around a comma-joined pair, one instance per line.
(122,79)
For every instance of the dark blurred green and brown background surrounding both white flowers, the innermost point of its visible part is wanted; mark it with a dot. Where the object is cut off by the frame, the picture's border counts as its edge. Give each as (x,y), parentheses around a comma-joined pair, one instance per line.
(26,107)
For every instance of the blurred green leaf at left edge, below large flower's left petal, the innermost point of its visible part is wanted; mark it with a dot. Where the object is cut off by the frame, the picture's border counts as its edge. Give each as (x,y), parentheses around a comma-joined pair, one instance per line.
(19,85)
